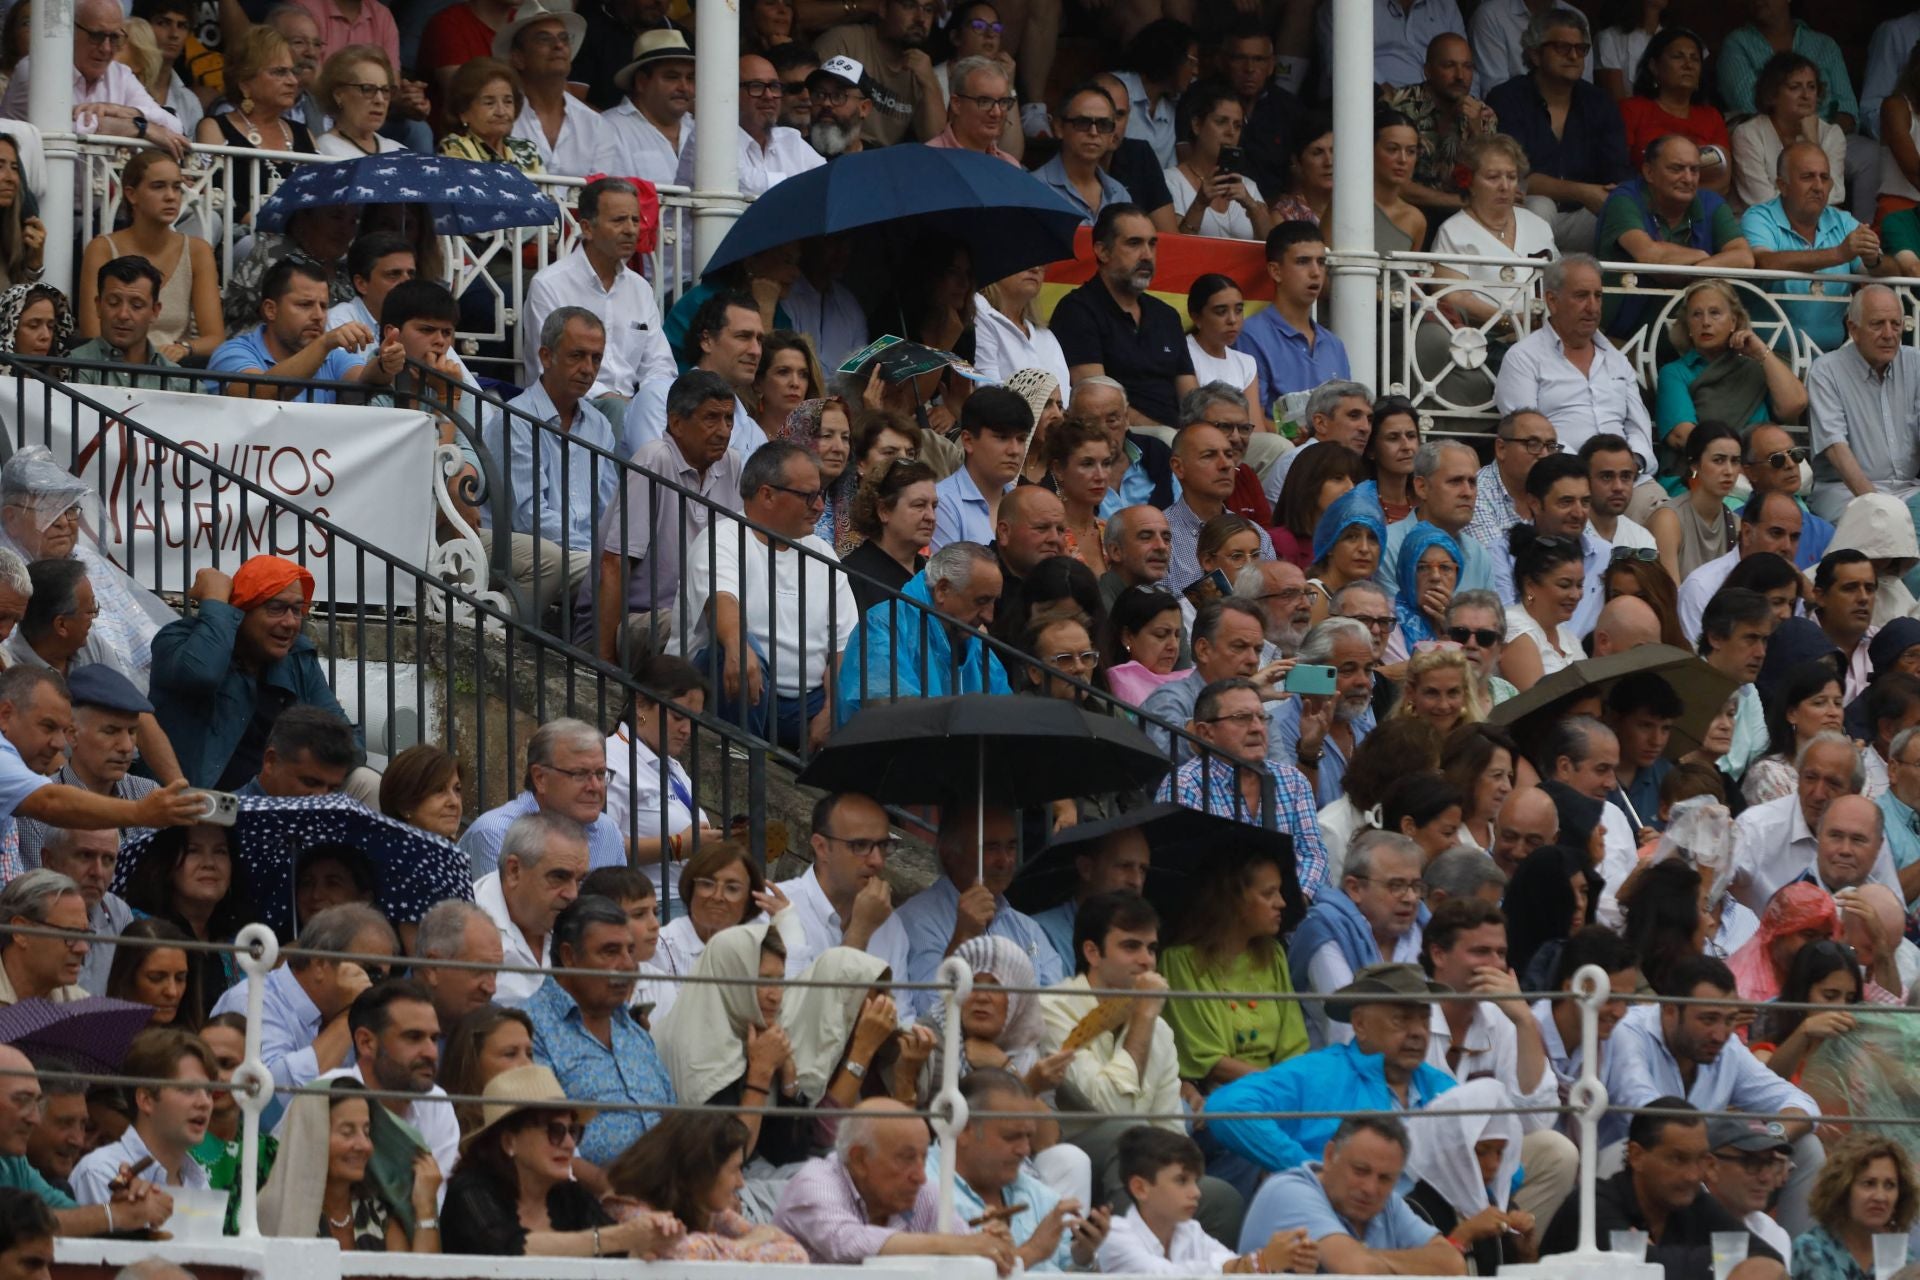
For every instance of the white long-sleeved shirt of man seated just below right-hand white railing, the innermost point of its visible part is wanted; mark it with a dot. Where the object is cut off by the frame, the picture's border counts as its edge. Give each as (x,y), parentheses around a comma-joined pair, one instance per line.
(1606,400)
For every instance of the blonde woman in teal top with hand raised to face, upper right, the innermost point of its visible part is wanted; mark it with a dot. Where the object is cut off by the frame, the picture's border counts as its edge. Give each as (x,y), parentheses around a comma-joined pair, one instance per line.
(1725,373)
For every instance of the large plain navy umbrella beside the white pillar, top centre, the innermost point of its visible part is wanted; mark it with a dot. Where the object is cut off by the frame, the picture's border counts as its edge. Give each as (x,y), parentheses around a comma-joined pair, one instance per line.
(1007,218)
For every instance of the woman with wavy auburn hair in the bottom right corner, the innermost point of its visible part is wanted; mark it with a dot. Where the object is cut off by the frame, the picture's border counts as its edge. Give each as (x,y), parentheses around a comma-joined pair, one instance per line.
(1865,1191)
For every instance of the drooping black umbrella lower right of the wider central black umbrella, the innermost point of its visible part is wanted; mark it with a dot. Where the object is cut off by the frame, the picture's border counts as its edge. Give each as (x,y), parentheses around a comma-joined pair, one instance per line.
(1182,841)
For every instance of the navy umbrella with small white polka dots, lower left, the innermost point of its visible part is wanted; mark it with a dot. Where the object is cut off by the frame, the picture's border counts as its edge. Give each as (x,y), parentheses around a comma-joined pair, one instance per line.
(412,868)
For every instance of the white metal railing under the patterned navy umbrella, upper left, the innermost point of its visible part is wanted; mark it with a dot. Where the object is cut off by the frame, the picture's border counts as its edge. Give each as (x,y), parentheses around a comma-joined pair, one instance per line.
(500,264)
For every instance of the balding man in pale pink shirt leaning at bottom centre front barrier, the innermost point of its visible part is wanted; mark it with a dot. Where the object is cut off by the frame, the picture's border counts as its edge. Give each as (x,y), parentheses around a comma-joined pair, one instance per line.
(871,1197)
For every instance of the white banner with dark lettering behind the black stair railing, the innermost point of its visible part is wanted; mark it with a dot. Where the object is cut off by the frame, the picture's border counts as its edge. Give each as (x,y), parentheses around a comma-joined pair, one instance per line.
(366,471)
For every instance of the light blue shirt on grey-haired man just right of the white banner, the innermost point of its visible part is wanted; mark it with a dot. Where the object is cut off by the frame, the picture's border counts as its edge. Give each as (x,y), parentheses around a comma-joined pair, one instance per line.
(571,496)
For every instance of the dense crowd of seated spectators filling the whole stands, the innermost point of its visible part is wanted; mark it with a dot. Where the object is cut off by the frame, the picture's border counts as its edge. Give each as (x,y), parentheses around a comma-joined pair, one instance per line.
(1214,529)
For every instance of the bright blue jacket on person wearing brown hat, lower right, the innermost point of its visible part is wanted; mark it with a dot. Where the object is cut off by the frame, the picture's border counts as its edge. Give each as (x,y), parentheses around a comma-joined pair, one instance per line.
(1333,1079)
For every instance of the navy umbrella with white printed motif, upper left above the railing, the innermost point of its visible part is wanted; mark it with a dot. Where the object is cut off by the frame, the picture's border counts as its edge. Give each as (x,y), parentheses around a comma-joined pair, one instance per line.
(462,195)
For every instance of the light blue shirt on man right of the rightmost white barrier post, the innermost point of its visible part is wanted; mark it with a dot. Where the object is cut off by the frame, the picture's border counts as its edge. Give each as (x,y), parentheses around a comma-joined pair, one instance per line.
(1639,1068)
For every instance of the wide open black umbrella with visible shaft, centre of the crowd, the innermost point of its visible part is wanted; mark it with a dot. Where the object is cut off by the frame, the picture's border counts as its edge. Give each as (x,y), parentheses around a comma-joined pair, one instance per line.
(984,747)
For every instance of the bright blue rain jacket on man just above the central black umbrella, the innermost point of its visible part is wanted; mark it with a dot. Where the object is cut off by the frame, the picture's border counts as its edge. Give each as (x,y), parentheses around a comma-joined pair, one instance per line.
(888,644)
